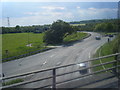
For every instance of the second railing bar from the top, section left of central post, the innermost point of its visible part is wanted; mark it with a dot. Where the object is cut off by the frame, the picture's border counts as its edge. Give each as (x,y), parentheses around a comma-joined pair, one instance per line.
(26,82)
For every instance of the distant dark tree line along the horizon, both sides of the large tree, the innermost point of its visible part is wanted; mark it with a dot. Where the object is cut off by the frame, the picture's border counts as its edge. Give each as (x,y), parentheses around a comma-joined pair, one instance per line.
(103,25)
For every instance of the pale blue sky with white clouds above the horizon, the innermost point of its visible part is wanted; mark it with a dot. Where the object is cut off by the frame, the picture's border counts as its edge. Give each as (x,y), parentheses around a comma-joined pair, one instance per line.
(39,13)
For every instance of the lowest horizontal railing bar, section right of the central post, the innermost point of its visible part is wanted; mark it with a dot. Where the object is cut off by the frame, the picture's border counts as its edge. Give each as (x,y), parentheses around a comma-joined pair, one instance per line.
(88,74)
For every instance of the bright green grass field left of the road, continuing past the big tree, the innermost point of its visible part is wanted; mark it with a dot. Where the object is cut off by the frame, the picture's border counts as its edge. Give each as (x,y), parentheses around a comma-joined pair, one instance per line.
(16,43)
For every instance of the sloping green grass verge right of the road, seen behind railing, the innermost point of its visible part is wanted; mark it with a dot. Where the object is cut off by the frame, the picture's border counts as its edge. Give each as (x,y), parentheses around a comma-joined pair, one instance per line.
(106,49)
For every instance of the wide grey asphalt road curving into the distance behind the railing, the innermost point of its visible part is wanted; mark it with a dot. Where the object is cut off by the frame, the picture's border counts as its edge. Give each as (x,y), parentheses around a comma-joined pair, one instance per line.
(62,55)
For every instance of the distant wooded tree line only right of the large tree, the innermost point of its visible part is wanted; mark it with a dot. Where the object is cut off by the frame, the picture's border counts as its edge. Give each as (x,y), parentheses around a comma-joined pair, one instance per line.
(104,25)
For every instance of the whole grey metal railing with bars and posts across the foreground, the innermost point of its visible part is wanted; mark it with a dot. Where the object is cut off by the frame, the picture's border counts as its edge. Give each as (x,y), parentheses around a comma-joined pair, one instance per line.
(55,75)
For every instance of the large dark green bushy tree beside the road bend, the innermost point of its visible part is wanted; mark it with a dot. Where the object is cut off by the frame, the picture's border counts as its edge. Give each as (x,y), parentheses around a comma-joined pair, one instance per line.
(57,32)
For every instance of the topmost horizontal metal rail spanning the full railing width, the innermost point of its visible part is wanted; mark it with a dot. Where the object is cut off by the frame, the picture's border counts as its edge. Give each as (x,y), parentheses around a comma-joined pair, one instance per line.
(38,71)
